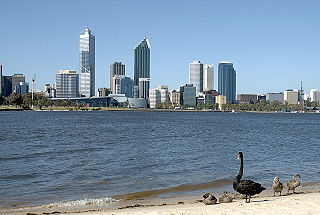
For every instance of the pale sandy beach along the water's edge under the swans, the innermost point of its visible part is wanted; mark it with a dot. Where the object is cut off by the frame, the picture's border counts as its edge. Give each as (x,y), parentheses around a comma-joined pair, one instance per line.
(305,201)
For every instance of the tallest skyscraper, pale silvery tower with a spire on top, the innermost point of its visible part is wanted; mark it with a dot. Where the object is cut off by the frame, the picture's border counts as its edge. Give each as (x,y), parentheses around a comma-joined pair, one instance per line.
(87,63)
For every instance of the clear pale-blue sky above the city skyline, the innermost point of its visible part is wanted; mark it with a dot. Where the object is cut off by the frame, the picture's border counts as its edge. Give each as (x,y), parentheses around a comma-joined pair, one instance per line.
(273,44)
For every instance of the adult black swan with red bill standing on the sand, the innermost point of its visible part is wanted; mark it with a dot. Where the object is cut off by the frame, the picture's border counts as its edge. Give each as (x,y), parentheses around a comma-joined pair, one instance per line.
(246,187)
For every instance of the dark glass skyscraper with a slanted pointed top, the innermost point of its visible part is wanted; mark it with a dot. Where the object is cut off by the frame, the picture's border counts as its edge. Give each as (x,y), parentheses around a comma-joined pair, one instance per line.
(141,64)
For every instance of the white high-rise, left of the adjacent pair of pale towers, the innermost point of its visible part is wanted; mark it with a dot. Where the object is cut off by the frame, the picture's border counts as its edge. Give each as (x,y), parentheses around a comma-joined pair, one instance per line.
(196,76)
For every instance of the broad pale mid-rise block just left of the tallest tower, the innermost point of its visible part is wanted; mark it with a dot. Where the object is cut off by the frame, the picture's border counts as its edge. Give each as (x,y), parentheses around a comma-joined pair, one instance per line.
(67,84)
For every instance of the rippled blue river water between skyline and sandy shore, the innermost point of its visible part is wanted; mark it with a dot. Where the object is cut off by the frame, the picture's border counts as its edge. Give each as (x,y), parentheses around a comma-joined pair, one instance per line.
(48,157)
